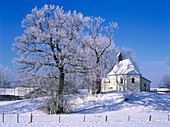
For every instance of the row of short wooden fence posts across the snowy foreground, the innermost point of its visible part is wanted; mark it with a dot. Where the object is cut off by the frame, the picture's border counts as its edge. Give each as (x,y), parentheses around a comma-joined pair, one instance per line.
(30,118)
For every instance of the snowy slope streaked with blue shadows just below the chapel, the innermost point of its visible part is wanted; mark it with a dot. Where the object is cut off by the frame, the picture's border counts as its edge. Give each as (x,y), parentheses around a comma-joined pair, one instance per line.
(153,101)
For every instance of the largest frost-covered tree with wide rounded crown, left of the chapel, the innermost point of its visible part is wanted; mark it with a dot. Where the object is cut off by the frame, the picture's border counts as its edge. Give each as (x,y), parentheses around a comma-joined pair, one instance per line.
(51,39)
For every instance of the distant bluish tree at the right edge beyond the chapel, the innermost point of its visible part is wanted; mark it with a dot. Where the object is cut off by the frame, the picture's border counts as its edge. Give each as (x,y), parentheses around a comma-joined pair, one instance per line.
(165,82)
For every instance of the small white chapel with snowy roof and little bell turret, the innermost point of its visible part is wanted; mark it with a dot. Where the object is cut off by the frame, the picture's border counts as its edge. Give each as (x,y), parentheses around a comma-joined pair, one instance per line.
(124,77)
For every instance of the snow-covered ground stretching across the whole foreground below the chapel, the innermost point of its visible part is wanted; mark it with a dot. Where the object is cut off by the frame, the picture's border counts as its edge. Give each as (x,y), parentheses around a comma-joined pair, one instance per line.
(91,111)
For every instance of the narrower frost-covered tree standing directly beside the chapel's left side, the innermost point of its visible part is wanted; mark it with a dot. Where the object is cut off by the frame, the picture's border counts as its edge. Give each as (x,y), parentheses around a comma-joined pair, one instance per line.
(99,47)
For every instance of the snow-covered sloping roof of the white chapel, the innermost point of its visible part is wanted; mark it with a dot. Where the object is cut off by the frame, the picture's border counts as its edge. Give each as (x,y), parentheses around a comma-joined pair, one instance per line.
(124,67)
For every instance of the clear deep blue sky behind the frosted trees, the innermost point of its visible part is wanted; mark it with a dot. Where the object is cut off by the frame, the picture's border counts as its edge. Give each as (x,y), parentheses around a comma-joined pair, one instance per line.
(144,26)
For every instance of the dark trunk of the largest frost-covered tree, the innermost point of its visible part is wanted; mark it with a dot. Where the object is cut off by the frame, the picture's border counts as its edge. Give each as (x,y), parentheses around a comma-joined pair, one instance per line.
(60,91)
